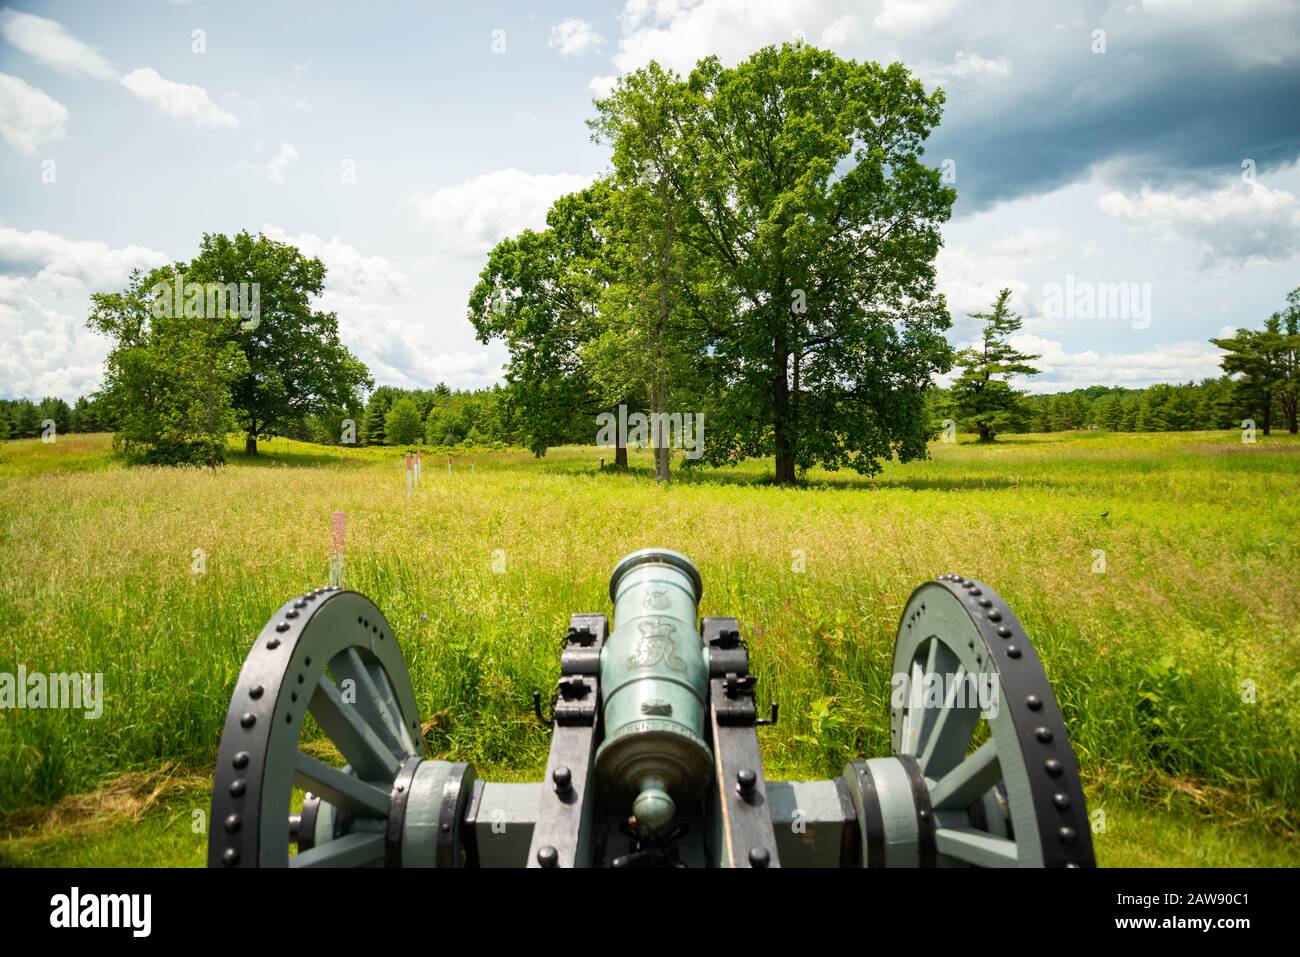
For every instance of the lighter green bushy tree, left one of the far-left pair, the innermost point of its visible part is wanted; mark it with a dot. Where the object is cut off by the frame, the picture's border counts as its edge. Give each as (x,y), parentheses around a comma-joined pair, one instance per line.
(170,376)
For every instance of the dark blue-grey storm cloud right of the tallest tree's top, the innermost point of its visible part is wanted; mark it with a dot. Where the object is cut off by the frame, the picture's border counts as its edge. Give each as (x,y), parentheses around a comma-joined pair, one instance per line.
(1160,107)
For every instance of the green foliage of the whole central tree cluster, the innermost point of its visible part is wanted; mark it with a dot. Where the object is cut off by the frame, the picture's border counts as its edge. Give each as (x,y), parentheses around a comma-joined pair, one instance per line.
(762,253)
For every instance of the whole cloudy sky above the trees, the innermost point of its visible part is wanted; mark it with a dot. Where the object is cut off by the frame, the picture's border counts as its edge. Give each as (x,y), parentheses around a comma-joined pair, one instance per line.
(1129,170)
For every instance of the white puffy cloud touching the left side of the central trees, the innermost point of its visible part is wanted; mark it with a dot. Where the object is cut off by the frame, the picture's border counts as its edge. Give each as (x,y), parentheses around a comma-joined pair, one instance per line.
(471,218)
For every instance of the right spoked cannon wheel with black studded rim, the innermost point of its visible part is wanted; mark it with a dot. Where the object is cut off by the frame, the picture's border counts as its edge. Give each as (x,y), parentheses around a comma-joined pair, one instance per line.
(1000,773)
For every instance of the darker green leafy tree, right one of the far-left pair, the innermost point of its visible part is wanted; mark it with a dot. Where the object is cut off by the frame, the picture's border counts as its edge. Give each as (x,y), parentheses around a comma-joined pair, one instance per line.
(297,363)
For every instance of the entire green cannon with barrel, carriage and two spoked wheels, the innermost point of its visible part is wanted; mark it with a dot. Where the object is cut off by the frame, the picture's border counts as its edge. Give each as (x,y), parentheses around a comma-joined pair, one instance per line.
(655,756)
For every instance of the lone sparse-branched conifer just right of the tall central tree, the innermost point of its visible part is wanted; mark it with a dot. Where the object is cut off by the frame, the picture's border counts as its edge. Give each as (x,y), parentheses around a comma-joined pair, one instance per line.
(982,396)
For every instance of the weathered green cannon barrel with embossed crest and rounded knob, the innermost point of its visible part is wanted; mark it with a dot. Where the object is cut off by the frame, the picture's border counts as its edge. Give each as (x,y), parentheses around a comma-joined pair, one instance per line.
(655,679)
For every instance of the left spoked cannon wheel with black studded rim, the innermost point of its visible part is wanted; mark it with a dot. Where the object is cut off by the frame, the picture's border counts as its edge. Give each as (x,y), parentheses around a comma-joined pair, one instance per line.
(332,655)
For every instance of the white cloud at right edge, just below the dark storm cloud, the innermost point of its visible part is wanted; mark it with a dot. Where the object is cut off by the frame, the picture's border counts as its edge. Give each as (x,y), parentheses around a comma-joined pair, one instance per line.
(1245,223)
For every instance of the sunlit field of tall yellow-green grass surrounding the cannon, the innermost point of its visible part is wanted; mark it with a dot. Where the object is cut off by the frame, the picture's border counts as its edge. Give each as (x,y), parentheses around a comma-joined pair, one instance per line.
(1178,668)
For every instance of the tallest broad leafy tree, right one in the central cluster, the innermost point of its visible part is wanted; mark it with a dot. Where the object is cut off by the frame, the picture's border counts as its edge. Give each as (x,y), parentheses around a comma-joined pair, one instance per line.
(811,197)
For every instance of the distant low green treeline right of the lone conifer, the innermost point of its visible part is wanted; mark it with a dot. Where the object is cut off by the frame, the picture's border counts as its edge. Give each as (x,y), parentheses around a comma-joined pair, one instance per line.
(1212,404)
